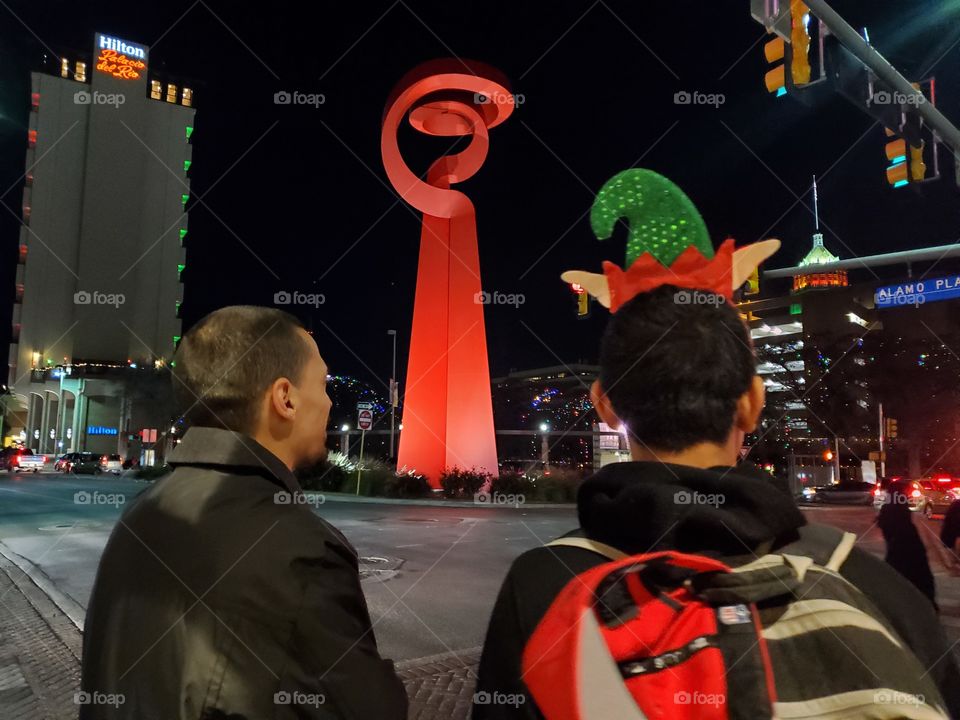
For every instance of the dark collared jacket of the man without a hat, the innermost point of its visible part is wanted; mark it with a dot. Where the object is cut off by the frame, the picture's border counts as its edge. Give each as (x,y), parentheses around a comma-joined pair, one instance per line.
(215,598)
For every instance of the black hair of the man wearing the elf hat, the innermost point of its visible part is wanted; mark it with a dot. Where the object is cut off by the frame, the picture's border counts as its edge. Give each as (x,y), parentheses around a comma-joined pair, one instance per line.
(674,362)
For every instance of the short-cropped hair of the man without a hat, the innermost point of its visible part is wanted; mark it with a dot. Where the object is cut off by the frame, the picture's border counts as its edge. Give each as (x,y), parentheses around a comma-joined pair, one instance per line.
(227,361)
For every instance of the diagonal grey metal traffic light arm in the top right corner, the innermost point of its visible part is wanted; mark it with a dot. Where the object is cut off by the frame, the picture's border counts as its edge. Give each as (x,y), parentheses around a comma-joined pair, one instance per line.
(866,54)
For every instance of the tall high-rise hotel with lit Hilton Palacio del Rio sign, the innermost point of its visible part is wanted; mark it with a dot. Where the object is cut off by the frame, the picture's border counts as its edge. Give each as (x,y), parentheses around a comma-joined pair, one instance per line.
(102,246)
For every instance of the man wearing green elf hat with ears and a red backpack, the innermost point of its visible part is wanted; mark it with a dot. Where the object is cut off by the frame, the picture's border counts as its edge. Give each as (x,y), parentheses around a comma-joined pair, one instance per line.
(694,588)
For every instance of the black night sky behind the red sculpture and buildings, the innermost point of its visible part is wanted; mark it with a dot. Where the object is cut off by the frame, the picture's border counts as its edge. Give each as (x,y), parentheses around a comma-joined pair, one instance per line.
(295,197)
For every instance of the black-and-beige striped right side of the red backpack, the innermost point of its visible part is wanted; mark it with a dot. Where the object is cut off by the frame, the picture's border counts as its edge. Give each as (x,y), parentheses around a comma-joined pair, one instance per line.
(814,621)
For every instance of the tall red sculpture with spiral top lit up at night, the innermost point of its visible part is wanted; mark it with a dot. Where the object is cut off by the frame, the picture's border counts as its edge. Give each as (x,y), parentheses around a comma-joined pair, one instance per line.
(448,413)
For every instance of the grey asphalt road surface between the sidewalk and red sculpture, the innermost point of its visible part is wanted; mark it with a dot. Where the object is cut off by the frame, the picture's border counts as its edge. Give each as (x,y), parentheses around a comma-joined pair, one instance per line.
(432,572)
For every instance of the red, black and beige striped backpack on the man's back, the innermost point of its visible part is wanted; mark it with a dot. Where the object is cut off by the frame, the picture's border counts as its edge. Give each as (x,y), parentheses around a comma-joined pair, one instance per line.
(674,635)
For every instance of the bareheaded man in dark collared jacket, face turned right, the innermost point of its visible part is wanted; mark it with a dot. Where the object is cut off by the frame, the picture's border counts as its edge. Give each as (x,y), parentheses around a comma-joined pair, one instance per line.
(221,594)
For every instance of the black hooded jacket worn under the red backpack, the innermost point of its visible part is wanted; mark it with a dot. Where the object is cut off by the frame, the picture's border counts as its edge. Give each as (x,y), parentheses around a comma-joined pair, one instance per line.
(632,507)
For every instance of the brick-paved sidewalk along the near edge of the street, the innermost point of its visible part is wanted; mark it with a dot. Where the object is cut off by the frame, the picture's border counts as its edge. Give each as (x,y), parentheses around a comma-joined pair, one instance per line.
(40,650)
